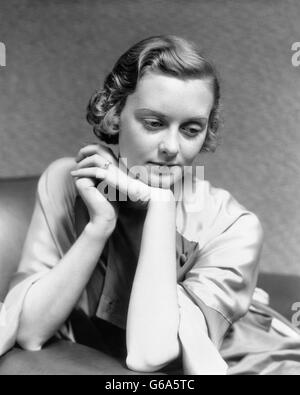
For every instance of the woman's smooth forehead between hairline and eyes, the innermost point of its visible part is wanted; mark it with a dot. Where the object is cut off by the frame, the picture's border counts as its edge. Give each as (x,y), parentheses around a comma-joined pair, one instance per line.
(168,95)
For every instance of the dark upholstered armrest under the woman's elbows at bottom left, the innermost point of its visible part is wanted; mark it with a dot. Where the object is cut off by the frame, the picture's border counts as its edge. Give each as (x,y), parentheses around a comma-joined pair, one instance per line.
(62,358)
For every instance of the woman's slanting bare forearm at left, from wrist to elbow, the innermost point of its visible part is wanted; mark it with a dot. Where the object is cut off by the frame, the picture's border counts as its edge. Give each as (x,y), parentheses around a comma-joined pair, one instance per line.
(50,300)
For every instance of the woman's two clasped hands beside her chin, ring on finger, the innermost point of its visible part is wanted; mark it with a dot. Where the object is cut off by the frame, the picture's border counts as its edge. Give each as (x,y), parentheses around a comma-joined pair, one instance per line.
(91,167)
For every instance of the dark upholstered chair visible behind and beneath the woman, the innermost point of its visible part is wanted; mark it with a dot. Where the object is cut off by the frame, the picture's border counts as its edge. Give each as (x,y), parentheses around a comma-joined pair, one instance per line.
(17,198)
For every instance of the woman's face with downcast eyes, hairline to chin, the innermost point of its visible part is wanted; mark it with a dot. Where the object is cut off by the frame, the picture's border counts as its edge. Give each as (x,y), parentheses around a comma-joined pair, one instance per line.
(164,122)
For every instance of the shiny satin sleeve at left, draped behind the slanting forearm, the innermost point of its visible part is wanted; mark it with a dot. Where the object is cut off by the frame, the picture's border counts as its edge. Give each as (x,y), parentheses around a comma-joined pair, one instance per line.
(49,236)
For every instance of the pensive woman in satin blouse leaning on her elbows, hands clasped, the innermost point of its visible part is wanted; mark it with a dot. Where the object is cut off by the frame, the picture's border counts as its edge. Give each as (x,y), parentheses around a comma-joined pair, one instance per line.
(127,251)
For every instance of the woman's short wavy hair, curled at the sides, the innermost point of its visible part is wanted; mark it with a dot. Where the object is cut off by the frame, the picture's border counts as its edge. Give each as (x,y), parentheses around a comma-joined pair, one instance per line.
(170,55)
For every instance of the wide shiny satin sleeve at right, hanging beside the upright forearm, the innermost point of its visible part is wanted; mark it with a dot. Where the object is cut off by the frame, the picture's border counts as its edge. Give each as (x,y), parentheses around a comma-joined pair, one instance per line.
(218,289)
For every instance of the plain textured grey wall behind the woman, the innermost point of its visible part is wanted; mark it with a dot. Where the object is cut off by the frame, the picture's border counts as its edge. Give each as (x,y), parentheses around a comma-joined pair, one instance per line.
(58,53)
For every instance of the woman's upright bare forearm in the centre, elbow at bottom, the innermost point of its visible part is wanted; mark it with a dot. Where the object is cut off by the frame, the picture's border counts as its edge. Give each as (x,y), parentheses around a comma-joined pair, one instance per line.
(153,315)
